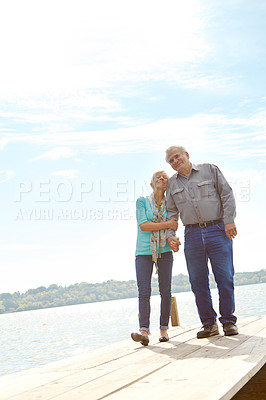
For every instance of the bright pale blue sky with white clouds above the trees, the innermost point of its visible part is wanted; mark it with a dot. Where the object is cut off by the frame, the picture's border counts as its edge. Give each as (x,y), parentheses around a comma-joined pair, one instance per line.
(92,93)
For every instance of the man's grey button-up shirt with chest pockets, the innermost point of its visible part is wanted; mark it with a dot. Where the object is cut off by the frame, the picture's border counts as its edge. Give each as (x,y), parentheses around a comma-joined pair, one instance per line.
(204,195)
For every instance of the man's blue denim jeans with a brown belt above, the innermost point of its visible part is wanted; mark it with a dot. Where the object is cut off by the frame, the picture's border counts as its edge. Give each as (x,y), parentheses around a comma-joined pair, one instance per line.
(211,243)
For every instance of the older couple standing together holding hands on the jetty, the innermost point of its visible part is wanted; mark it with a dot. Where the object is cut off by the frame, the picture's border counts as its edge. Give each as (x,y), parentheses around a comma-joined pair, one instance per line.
(203,199)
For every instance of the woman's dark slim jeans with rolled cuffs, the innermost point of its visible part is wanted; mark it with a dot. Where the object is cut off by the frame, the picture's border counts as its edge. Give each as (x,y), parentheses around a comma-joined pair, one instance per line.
(144,267)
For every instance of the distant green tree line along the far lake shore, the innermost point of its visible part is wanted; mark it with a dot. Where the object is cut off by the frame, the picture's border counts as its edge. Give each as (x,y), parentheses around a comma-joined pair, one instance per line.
(81,293)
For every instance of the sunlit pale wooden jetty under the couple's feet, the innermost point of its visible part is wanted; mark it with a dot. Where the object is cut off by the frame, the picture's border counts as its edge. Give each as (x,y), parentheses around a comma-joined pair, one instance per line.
(185,367)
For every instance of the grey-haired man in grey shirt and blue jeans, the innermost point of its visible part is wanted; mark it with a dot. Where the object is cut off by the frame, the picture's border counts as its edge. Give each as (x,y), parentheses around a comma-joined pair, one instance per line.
(203,199)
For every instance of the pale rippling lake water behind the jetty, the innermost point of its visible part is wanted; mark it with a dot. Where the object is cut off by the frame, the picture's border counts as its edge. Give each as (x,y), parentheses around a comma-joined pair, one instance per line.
(33,338)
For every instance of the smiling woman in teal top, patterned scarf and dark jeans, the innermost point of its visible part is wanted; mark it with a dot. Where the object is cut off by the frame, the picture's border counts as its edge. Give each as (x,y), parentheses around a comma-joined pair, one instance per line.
(152,248)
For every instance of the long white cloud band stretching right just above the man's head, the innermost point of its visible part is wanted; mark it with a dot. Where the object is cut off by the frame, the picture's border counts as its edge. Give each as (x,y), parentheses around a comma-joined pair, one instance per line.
(235,137)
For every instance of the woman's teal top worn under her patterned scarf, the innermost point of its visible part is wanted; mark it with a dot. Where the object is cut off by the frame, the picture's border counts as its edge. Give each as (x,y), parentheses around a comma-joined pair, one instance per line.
(144,213)
